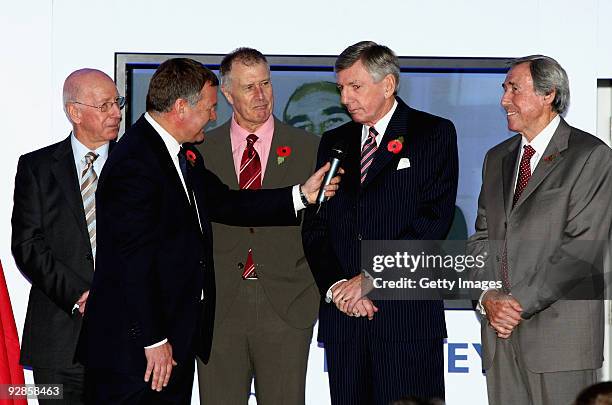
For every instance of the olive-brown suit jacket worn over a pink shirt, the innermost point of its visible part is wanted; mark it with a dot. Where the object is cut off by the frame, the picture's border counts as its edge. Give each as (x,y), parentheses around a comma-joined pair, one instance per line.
(281,266)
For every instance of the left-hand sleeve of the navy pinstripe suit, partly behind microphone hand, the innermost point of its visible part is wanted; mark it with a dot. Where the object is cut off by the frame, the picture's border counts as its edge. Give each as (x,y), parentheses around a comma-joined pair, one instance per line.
(324,264)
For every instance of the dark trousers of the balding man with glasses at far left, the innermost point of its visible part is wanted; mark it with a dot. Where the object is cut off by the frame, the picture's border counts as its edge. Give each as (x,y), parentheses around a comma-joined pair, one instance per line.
(71,378)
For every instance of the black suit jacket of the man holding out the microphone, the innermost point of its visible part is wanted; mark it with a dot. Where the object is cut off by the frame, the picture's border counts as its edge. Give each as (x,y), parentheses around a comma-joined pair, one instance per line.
(154,258)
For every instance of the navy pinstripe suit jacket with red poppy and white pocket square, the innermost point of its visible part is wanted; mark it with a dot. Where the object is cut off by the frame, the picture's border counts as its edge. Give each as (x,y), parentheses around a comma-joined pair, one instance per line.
(413,203)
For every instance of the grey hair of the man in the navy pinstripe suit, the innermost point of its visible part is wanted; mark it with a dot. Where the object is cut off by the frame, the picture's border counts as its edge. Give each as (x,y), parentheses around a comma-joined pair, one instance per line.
(378,60)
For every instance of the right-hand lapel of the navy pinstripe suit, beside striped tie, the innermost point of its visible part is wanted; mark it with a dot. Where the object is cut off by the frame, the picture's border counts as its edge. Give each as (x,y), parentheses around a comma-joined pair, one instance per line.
(398,126)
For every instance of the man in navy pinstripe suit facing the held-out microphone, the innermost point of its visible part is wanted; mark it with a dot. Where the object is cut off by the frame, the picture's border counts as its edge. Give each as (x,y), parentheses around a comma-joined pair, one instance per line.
(402,193)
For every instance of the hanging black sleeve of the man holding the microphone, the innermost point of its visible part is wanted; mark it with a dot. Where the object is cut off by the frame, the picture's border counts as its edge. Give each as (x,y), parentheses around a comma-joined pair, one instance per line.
(128,203)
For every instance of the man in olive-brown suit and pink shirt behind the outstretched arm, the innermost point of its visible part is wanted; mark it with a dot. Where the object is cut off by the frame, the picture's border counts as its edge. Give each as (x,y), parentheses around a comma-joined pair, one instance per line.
(264,320)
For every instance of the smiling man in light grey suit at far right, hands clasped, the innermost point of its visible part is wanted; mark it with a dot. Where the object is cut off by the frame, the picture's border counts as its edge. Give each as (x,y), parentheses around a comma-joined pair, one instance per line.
(545,195)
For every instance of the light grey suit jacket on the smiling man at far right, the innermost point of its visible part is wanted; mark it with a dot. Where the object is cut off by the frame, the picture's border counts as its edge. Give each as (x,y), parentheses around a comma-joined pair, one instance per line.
(554,237)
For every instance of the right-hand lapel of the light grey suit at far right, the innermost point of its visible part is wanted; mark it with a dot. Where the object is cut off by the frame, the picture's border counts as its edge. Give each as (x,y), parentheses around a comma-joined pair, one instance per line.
(552,157)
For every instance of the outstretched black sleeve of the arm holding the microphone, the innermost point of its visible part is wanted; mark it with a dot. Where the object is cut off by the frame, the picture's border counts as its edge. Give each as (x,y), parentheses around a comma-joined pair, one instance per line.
(271,207)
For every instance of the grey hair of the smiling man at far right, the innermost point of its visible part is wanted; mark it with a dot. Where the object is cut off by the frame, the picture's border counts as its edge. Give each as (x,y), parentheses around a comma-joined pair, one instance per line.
(548,76)
